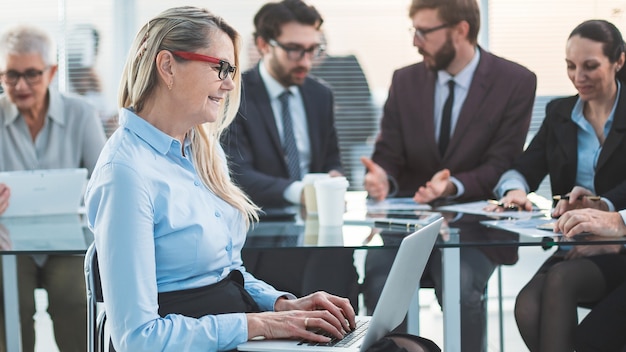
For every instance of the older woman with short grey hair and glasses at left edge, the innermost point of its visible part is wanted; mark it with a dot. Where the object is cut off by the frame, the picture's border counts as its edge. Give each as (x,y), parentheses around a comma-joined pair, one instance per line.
(41,128)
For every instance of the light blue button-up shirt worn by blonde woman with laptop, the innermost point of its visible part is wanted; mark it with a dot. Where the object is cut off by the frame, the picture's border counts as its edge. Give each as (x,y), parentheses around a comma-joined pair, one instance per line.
(158,228)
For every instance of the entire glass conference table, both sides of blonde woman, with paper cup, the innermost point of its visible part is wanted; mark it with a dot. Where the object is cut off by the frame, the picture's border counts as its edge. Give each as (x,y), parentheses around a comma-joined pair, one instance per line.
(68,234)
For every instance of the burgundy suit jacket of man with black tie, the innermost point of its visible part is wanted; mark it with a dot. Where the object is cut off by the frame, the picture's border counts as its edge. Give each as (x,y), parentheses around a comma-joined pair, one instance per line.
(489,134)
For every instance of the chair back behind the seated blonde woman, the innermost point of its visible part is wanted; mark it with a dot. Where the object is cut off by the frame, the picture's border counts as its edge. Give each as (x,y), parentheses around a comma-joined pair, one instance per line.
(95,322)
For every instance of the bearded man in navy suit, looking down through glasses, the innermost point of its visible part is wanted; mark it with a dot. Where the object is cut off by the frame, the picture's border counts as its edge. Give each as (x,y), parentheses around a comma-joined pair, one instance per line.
(270,168)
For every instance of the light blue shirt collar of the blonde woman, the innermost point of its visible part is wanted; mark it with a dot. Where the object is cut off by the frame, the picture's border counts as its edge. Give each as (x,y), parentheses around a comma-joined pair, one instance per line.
(156,138)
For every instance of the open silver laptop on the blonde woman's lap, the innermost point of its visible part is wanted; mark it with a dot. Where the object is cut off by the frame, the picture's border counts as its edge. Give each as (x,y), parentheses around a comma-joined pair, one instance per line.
(392,306)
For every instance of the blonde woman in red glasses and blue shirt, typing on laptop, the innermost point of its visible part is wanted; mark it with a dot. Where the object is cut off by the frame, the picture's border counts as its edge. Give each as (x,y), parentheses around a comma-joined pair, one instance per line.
(169,224)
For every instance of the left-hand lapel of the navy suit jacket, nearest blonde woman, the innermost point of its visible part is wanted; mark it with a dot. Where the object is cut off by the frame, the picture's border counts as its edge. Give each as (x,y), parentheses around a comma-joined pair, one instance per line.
(260,97)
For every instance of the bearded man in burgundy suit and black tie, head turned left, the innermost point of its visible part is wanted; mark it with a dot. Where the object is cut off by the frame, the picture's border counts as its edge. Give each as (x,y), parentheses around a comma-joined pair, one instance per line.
(443,141)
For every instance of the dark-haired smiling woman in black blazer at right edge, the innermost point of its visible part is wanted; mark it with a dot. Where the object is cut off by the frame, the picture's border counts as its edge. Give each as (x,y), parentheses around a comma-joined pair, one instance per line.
(581,146)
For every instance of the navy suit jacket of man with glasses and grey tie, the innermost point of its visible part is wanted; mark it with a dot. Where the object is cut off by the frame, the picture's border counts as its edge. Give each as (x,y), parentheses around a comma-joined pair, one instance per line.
(253,145)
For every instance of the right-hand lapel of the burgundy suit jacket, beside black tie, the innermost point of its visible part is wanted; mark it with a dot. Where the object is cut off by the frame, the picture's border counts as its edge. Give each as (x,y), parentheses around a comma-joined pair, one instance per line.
(475,97)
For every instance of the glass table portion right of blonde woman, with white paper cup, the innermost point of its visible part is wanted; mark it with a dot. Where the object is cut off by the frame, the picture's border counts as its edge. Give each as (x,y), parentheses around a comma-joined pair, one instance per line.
(459,231)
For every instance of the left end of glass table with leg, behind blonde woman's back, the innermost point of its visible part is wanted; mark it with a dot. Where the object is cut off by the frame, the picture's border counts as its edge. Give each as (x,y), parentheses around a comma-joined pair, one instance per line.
(40,235)
